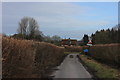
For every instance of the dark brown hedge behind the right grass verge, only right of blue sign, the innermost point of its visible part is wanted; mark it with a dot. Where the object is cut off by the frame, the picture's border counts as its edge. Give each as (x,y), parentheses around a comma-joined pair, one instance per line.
(107,53)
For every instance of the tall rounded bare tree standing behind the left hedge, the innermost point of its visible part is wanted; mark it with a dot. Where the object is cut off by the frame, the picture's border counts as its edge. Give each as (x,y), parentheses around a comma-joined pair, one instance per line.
(28,26)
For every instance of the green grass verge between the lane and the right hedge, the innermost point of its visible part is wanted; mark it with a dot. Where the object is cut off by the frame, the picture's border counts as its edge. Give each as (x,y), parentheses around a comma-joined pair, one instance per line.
(101,70)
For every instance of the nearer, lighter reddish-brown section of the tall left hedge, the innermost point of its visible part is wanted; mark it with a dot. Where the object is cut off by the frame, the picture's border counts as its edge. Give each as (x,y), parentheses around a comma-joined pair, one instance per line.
(18,58)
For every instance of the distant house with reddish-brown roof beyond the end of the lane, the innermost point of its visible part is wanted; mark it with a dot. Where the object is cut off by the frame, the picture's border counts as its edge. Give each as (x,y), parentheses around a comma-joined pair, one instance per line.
(69,42)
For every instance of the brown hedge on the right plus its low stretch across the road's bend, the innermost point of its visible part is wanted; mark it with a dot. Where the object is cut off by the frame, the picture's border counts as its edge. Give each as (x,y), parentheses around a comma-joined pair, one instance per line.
(105,53)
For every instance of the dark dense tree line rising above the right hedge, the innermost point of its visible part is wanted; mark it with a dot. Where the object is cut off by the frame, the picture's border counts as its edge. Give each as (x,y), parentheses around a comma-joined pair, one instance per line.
(107,36)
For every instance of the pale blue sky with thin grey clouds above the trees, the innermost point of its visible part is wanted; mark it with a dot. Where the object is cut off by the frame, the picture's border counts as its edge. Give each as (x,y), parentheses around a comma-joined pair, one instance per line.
(66,19)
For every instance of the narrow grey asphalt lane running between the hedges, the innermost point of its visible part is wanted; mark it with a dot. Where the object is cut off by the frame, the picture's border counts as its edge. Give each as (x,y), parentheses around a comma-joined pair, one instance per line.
(72,68)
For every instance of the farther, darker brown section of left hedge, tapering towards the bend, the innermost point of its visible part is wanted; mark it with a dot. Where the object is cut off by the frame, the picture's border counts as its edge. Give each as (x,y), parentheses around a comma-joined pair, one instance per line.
(47,56)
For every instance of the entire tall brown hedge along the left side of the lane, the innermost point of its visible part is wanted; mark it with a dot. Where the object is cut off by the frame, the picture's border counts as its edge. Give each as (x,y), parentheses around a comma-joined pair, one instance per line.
(28,59)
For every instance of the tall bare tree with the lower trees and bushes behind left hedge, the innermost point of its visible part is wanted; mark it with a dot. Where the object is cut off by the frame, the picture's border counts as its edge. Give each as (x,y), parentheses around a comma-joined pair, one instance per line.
(28,28)
